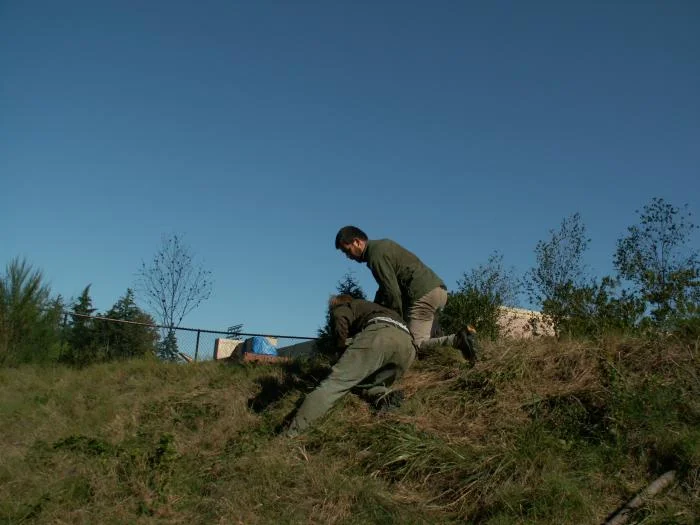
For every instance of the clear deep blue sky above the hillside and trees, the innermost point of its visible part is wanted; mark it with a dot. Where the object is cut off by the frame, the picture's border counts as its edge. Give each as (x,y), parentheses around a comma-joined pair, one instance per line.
(257,129)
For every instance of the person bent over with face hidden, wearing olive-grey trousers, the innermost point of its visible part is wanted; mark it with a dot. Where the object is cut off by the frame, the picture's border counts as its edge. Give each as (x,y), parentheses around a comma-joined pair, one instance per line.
(380,352)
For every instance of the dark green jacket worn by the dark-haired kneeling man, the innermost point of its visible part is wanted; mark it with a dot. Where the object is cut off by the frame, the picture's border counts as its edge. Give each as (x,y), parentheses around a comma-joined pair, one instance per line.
(401,276)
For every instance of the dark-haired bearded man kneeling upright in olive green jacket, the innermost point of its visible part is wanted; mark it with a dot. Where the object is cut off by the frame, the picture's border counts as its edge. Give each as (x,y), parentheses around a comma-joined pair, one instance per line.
(407,286)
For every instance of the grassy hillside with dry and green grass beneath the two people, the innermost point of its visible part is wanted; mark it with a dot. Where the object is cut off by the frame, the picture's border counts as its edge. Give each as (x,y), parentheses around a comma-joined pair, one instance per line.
(537,432)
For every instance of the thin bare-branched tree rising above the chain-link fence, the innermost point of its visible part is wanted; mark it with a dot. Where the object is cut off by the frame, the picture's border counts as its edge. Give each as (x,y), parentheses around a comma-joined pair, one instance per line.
(173,284)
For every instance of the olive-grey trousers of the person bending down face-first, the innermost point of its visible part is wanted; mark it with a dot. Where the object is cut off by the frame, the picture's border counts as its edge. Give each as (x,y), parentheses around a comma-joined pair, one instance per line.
(378,356)
